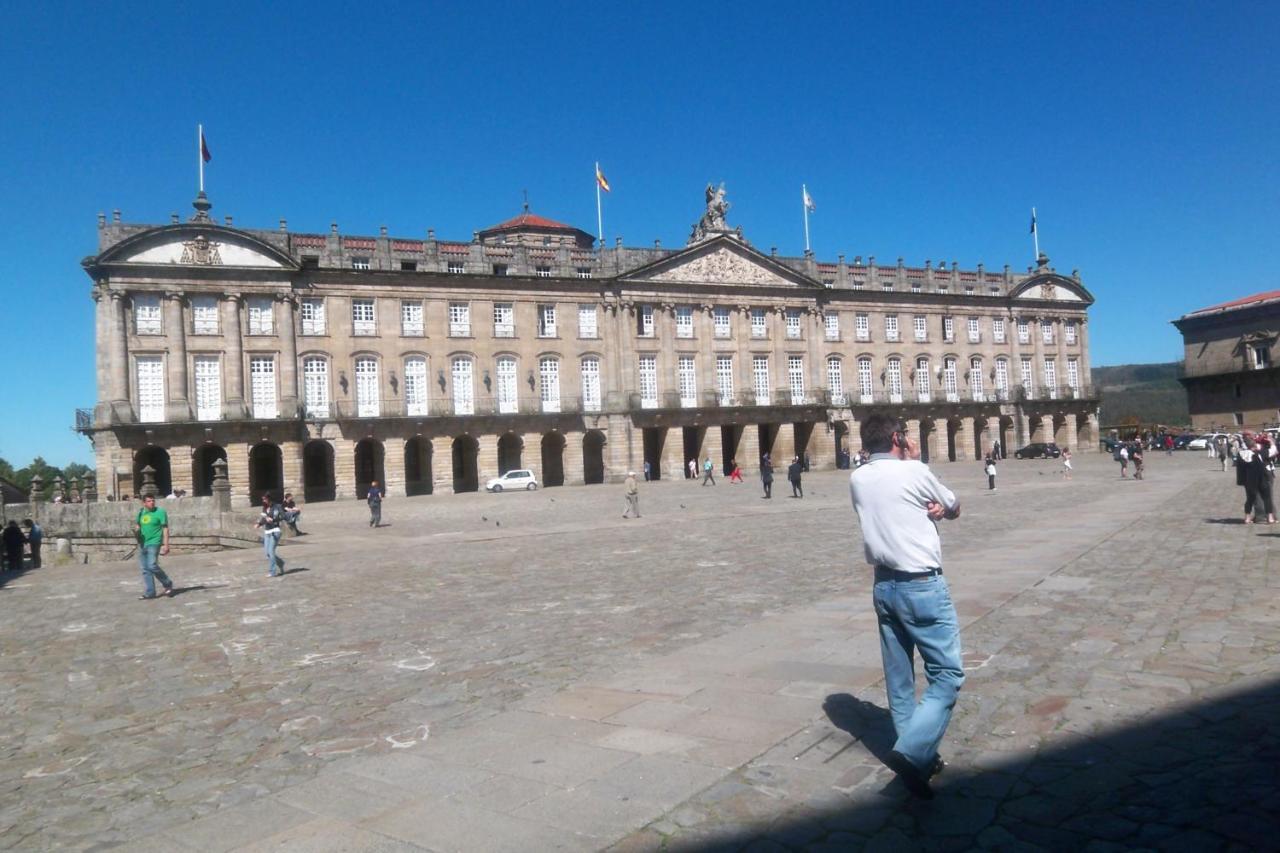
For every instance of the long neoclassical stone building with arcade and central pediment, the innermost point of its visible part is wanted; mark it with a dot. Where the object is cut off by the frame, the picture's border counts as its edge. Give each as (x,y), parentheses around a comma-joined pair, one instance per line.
(318,363)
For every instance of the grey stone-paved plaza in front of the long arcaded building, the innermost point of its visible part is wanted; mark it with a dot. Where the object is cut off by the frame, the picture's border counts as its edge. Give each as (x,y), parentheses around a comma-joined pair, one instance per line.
(531,672)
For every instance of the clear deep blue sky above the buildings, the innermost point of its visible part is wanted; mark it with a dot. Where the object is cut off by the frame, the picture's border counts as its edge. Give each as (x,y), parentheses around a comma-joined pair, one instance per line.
(1145,135)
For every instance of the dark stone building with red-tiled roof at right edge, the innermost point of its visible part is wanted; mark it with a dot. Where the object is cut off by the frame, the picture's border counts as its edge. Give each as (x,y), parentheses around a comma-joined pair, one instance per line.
(1231,377)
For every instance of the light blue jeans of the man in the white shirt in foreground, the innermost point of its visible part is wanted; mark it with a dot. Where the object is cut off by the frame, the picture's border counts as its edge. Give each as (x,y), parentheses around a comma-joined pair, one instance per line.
(920,615)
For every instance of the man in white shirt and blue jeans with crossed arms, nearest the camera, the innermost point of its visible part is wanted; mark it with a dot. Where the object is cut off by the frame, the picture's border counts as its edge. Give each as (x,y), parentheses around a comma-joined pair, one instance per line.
(899,503)
